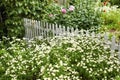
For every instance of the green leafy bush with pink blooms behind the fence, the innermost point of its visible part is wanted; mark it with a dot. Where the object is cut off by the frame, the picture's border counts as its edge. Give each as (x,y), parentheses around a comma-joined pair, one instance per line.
(83,16)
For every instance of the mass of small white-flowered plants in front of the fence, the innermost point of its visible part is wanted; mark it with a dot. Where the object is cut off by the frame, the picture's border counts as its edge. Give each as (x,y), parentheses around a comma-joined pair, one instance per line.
(63,58)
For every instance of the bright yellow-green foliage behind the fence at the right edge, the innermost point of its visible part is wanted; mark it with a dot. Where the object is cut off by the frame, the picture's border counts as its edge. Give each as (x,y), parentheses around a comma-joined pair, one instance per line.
(111,22)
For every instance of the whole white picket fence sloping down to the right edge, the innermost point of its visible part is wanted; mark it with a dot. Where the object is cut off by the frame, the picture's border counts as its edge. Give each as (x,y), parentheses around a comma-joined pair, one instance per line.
(39,29)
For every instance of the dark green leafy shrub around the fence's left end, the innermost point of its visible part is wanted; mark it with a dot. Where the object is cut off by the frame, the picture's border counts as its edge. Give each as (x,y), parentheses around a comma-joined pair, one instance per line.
(16,10)
